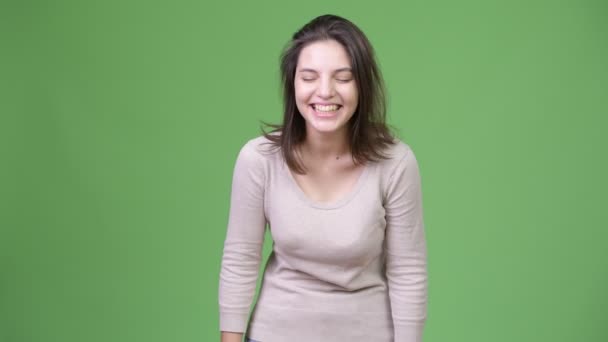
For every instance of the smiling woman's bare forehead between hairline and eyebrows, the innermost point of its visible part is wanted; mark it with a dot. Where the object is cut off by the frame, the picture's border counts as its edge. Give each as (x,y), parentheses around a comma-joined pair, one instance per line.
(324,55)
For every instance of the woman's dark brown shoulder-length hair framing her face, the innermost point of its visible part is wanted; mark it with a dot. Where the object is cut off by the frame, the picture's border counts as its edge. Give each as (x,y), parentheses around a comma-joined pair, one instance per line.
(368,132)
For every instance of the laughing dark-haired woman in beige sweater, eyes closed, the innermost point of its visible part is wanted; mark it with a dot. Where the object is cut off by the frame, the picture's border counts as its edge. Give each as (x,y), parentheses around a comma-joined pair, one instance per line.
(342,199)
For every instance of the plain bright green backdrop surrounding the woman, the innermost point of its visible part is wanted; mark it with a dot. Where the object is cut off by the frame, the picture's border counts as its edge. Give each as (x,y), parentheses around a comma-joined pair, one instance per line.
(121,121)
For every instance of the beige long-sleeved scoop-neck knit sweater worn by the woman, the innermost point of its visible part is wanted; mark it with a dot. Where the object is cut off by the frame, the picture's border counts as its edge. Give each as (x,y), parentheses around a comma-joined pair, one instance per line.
(351,270)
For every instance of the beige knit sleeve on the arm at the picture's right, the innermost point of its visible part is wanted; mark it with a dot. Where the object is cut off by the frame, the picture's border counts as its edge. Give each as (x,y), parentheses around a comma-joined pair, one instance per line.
(406,254)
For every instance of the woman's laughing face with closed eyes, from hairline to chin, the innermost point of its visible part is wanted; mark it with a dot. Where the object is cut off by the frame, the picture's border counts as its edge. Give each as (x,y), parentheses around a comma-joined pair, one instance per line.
(325,89)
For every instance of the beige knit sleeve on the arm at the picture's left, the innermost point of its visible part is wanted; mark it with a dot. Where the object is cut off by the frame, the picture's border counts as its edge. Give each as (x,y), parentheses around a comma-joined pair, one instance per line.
(244,240)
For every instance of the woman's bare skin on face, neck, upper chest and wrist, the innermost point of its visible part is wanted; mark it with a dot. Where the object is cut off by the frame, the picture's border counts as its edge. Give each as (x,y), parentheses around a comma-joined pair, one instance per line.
(323,76)
